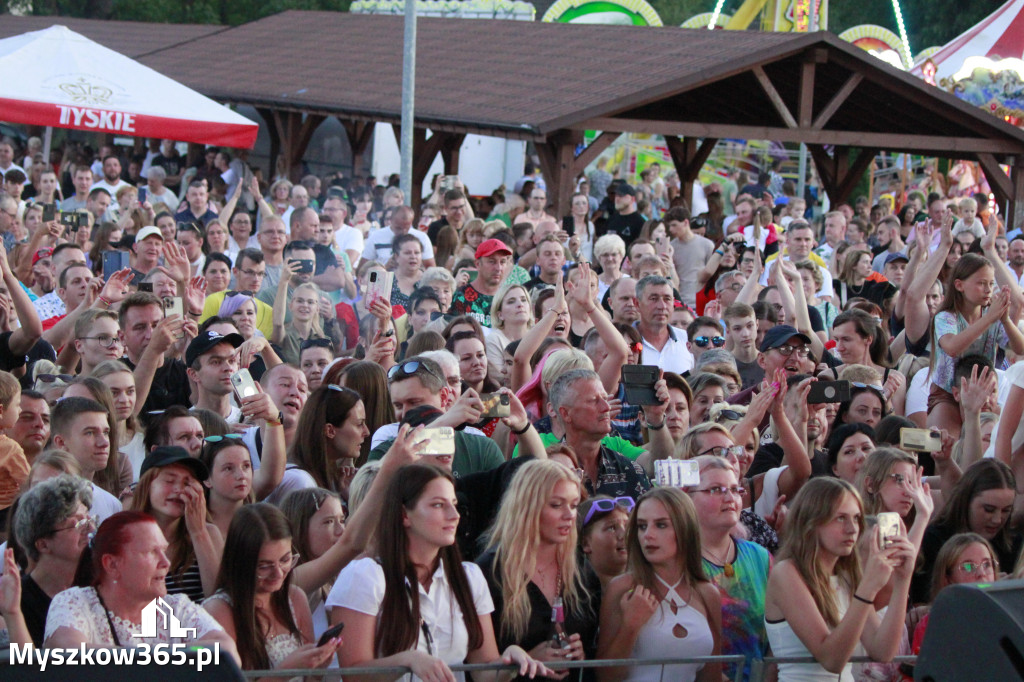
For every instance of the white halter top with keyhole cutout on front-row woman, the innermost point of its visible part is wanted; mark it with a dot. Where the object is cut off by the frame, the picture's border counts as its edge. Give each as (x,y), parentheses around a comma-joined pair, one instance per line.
(675,630)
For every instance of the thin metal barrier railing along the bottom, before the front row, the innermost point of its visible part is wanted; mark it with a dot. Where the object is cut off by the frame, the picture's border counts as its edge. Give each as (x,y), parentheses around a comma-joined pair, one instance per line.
(758,668)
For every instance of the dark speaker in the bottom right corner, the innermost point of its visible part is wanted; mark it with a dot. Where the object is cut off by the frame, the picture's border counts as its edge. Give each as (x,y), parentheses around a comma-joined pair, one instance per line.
(975,633)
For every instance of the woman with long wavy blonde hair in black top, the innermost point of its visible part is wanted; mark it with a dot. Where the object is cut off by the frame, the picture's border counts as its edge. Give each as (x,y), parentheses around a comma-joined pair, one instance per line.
(533,569)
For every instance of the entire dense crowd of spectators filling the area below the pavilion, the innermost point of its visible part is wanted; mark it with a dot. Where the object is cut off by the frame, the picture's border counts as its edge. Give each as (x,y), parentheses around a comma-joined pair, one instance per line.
(282,408)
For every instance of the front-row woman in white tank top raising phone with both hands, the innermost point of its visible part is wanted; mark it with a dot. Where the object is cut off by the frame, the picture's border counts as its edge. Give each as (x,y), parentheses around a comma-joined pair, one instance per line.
(821,602)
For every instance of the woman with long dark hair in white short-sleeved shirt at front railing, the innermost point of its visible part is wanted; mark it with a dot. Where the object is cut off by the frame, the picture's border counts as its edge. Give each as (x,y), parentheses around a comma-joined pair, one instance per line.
(418,605)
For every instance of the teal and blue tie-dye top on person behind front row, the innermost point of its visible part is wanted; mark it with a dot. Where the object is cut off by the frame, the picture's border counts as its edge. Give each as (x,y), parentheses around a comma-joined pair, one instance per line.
(743,604)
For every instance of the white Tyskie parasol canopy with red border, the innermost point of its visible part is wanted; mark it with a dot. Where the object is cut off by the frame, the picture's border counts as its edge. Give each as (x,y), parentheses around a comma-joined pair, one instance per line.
(62,79)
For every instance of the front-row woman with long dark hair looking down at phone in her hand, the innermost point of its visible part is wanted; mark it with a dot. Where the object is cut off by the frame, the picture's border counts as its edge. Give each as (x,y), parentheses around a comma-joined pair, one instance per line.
(255,602)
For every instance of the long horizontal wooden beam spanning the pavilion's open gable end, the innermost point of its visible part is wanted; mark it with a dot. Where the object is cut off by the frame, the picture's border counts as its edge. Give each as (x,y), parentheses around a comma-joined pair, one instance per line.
(933,145)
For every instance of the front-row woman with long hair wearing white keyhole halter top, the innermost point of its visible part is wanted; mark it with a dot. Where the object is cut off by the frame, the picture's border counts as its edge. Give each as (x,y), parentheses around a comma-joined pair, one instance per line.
(664,606)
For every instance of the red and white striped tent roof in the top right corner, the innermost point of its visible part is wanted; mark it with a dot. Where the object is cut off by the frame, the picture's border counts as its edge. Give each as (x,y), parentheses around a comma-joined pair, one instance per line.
(999,36)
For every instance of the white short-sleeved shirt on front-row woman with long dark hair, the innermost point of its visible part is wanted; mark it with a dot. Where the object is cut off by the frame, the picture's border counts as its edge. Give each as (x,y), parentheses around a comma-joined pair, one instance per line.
(361,588)
